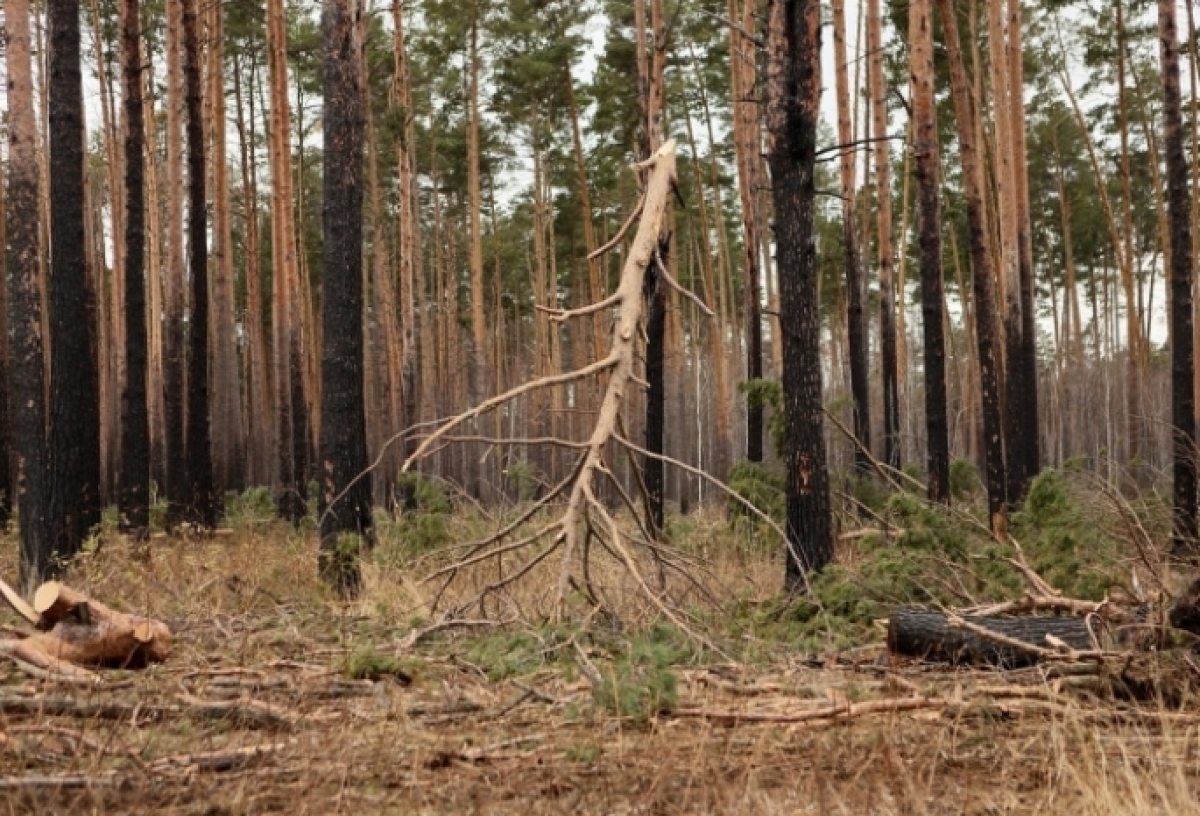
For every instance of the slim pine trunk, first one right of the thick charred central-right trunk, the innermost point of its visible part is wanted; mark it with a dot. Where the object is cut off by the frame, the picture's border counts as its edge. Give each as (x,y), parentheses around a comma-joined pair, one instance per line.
(856,315)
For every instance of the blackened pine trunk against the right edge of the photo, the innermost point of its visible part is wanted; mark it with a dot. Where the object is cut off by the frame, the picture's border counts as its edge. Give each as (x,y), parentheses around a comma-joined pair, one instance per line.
(1184,533)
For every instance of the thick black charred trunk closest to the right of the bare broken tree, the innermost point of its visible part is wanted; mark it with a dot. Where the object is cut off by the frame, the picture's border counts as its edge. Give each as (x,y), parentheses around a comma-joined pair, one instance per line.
(794,97)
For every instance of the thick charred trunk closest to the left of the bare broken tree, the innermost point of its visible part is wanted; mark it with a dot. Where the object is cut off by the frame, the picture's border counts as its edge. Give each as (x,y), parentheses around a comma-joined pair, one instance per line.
(345,481)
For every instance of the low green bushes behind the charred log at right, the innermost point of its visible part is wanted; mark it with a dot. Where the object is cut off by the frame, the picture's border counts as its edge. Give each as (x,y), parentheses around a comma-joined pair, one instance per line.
(926,555)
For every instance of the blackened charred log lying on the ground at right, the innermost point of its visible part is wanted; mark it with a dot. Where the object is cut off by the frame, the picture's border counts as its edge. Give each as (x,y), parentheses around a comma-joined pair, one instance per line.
(929,635)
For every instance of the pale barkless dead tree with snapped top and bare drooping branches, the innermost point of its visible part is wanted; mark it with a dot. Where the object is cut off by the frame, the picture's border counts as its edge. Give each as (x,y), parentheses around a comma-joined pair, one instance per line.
(581,529)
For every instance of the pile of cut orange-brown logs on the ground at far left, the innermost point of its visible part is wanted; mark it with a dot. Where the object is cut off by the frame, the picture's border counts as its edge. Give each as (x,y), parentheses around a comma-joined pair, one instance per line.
(74,634)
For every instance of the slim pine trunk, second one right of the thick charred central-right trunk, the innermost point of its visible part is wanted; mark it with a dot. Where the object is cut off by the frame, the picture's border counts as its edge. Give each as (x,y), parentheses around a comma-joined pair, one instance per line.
(889,359)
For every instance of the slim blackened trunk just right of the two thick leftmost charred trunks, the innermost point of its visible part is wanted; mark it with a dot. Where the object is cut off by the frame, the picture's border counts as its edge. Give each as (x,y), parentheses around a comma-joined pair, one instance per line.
(134,473)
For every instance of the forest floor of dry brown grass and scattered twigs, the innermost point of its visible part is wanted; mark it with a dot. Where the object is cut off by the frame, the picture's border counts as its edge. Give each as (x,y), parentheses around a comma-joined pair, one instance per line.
(280,700)
